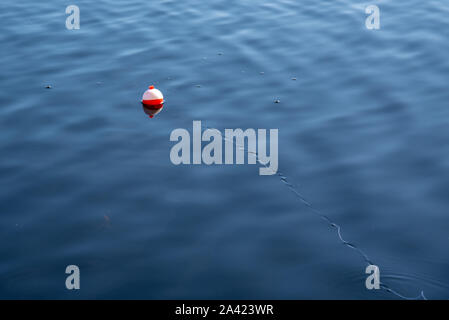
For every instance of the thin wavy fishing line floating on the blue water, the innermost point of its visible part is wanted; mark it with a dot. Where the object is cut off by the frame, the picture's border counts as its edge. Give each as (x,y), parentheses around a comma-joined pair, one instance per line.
(284,179)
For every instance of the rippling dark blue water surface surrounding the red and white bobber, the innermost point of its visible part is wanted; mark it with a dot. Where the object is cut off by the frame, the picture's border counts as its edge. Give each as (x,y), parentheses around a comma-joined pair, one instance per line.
(86,177)
